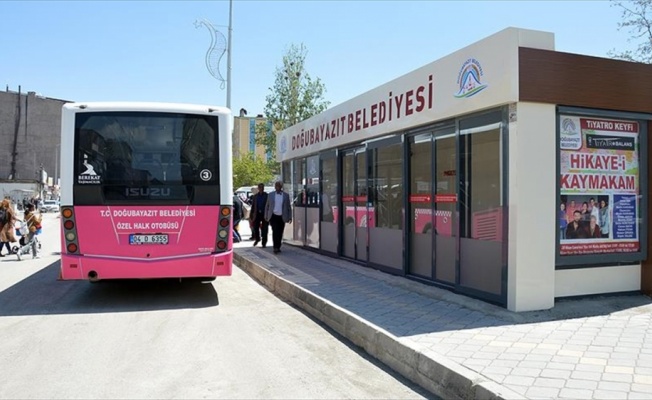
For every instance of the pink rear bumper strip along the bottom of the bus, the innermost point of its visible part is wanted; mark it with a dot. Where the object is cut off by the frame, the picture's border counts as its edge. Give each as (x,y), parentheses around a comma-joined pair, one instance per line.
(98,268)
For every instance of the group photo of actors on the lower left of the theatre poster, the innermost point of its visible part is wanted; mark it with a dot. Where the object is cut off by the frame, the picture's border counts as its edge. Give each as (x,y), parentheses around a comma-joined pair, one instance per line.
(586,217)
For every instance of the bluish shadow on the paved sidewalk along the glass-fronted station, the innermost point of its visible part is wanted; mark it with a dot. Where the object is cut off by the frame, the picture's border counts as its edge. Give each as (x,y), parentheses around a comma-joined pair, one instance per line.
(390,302)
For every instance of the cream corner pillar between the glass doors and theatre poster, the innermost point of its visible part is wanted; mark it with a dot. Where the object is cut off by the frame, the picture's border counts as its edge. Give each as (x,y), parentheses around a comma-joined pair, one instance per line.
(532,203)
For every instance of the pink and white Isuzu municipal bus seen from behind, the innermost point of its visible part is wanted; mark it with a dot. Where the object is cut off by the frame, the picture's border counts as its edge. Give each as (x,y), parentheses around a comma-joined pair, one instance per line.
(146,191)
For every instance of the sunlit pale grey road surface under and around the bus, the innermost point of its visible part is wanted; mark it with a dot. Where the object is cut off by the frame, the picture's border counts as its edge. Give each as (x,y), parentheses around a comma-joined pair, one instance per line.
(165,339)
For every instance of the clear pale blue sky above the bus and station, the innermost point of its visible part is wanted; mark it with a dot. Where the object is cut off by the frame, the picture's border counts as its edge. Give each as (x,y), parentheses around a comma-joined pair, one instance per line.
(152,50)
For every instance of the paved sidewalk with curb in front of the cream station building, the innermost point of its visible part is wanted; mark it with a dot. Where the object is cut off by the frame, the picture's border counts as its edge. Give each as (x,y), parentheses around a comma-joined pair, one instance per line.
(458,347)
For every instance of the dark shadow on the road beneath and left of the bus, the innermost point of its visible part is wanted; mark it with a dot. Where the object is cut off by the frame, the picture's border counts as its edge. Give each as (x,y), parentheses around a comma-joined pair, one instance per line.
(41,294)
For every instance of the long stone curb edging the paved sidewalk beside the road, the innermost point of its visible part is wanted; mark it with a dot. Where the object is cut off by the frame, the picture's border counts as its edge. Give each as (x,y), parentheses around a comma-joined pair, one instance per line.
(433,372)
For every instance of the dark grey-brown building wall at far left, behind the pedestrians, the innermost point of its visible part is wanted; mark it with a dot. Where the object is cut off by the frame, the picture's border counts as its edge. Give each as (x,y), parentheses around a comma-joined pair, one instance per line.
(38,134)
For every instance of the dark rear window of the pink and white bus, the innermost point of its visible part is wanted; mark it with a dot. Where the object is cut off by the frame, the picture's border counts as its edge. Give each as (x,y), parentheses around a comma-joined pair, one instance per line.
(137,154)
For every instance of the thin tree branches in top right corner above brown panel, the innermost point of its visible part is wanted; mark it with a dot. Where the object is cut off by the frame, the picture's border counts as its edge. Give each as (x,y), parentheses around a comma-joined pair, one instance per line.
(637,18)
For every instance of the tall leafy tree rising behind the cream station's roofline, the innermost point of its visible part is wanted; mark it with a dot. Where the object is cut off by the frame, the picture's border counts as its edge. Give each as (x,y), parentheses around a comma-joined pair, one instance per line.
(295,97)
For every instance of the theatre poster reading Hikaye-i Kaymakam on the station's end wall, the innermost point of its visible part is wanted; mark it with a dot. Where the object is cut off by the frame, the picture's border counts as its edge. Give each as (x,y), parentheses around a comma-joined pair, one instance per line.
(599,186)
